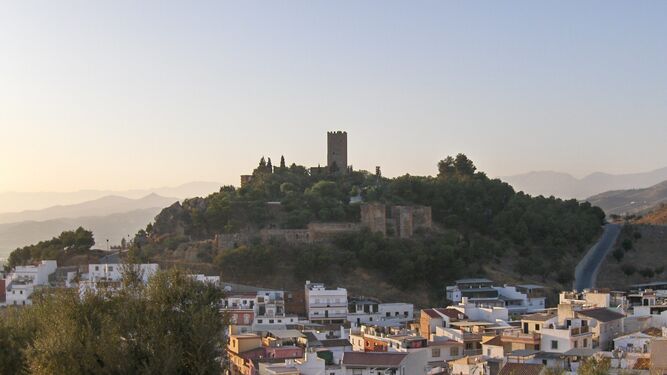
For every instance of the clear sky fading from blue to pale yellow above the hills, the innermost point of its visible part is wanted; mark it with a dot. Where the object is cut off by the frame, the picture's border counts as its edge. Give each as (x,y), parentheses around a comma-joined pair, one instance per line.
(134,94)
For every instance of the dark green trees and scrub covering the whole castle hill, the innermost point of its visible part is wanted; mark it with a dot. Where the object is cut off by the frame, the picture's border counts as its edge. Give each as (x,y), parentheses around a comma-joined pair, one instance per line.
(479,223)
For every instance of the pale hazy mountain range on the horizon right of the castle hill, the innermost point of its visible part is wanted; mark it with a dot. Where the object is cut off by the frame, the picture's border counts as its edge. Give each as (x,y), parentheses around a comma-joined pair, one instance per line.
(566,186)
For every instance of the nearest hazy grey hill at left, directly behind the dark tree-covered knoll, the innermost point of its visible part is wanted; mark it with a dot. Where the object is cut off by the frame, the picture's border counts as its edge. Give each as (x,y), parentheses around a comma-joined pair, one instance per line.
(114,227)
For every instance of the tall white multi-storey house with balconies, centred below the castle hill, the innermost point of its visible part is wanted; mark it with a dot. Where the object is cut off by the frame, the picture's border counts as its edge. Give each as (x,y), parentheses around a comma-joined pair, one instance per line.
(325,304)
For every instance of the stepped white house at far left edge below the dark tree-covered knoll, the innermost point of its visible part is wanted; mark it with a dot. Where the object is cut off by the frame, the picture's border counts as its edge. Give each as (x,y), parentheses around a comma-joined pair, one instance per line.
(21,283)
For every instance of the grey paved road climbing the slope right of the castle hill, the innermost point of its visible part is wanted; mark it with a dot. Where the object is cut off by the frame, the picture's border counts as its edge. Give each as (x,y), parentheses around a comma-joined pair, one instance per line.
(586,271)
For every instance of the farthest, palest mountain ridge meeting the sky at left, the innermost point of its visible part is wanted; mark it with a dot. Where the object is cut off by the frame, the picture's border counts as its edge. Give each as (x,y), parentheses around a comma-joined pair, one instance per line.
(21,201)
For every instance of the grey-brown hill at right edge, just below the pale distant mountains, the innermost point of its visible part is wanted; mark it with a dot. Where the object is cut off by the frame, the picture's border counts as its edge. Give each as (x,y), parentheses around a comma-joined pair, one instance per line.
(632,201)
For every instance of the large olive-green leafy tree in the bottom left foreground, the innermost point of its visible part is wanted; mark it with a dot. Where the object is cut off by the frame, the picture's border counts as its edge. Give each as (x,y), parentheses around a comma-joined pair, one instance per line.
(171,326)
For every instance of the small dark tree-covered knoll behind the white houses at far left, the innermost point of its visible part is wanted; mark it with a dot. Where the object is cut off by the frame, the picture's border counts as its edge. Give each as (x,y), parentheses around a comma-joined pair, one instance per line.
(67,243)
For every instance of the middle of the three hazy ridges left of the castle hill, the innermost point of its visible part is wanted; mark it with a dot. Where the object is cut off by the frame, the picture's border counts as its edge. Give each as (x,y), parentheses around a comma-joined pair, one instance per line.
(99,207)
